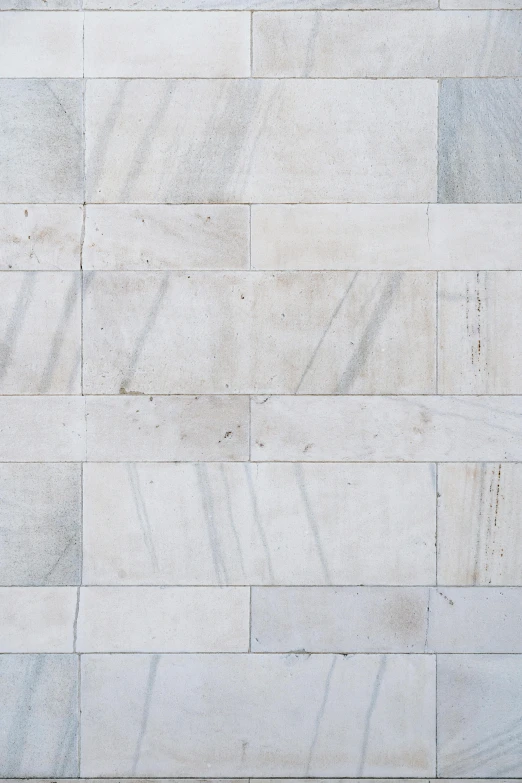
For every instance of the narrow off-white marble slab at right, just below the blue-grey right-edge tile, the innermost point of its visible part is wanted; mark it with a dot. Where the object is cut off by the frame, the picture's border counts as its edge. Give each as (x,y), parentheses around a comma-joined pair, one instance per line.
(386,236)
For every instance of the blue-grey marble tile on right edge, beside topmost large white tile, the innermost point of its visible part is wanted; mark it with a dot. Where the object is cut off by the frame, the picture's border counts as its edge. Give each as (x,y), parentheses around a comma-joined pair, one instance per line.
(480,152)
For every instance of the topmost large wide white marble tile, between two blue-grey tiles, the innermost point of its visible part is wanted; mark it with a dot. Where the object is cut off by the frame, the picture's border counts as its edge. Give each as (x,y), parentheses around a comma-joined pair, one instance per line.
(261,140)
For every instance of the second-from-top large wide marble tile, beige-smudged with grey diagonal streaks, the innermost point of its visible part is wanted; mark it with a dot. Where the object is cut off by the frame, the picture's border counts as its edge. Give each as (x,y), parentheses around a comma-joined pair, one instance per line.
(243,333)
